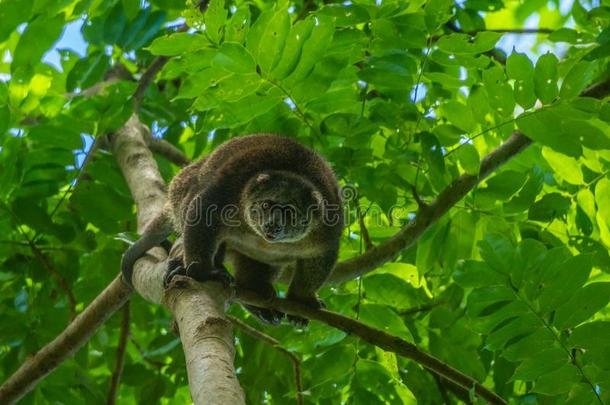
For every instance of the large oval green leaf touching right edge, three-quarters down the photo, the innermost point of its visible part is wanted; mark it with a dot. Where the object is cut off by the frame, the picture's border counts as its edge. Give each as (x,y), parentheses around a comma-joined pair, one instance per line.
(583,305)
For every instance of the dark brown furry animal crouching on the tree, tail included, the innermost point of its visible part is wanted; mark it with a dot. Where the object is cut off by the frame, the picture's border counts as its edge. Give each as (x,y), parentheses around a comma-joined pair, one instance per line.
(262,202)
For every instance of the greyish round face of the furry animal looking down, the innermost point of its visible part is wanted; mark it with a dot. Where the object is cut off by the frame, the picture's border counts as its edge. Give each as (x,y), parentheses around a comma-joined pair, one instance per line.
(281,207)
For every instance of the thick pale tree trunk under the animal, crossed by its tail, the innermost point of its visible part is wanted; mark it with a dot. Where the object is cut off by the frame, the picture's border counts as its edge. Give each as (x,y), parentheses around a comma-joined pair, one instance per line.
(199,309)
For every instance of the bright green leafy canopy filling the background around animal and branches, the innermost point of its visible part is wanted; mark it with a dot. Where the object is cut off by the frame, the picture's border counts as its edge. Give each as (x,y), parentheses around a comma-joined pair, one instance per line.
(511,286)
